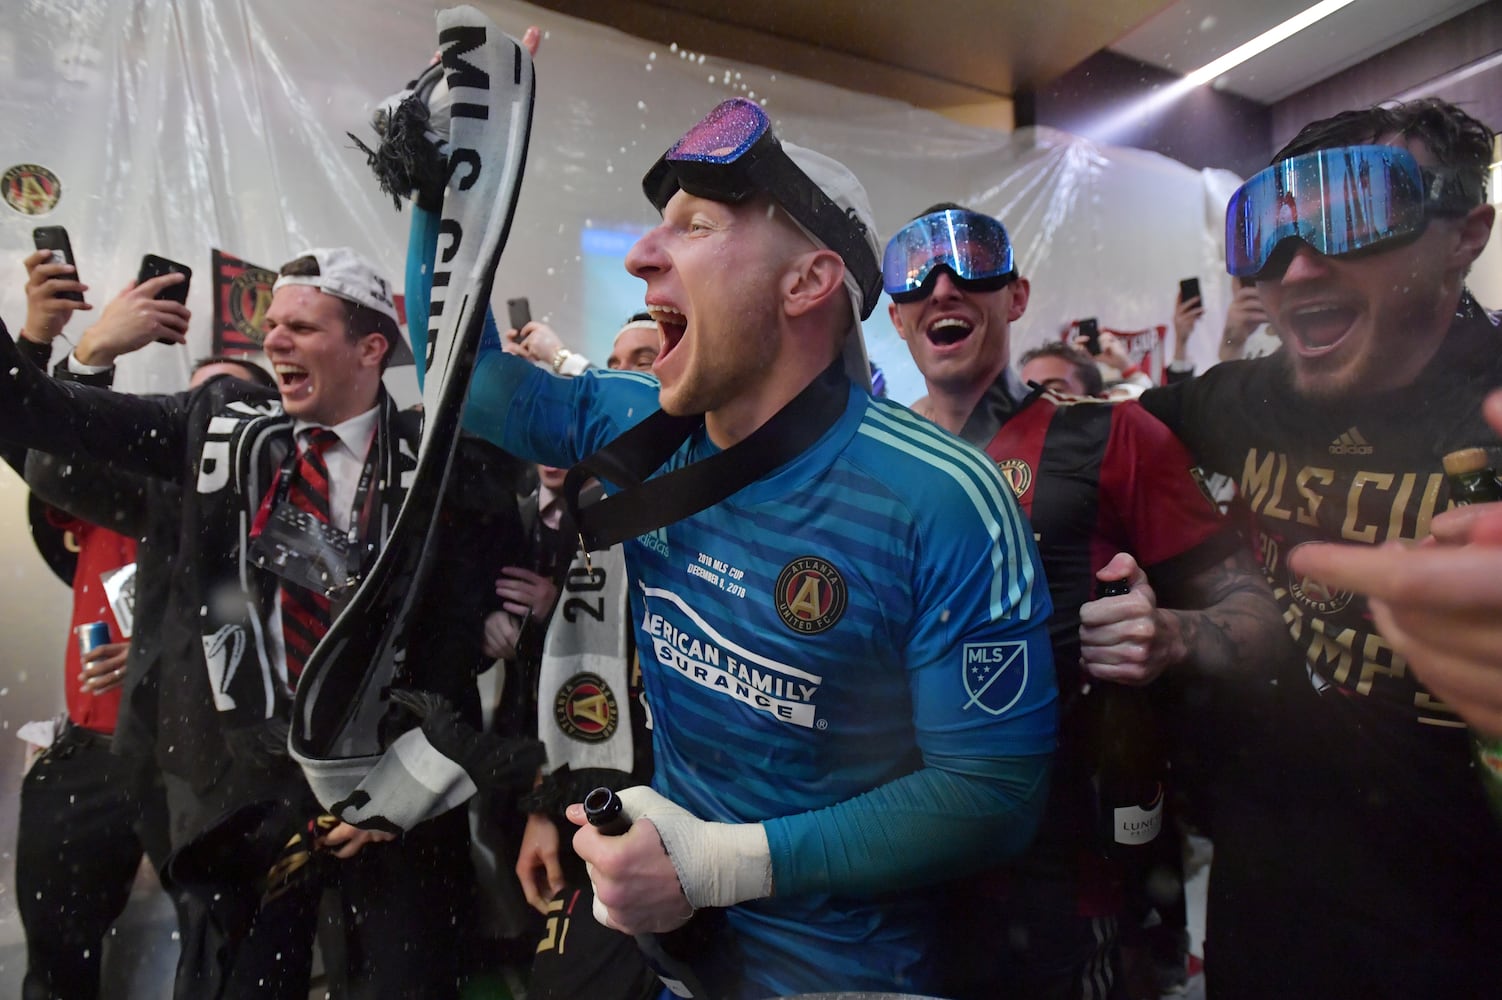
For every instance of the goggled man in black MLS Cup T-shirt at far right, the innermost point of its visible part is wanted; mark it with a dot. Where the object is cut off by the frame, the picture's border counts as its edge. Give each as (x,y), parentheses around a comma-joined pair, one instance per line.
(1360,238)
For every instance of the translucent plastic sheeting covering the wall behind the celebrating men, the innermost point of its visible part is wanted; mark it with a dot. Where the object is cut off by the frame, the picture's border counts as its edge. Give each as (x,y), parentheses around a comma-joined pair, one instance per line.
(185,125)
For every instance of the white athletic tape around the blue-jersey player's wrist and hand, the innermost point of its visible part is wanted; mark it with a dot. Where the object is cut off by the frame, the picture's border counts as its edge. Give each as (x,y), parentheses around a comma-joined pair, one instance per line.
(719,864)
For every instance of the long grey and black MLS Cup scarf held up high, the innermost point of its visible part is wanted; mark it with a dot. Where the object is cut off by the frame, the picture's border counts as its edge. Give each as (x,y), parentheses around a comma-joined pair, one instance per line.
(340,702)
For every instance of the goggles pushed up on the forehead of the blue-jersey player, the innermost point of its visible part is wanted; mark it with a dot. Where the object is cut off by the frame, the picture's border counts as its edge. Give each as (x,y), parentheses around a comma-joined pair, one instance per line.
(734,155)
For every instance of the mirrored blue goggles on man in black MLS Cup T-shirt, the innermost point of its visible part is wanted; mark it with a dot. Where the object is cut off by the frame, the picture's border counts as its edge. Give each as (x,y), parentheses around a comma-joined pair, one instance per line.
(1341,202)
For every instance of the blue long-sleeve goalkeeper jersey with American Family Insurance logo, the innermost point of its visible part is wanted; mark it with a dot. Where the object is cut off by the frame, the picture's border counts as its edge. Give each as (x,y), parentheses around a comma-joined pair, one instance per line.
(851,651)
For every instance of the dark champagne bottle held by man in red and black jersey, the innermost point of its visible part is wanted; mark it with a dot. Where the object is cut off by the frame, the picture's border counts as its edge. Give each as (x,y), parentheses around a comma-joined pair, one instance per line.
(1129,762)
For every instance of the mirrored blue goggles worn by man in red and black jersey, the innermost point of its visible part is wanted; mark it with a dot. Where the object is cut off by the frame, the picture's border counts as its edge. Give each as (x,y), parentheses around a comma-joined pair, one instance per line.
(973,247)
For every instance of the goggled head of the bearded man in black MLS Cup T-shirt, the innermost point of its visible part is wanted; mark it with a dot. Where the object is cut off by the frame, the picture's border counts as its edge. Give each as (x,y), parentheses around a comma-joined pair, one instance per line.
(1347,242)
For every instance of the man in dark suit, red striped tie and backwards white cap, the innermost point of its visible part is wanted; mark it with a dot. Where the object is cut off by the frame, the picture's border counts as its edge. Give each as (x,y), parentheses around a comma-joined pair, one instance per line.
(234,448)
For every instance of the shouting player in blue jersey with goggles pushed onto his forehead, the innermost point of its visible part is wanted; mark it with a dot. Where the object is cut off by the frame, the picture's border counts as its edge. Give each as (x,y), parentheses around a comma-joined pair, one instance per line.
(845,651)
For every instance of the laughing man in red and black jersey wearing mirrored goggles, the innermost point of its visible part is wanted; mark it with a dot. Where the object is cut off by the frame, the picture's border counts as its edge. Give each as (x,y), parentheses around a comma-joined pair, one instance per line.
(1111,498)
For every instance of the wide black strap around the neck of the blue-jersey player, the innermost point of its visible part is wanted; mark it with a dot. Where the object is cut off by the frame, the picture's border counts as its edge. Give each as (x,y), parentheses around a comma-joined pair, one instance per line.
(644,505)
